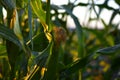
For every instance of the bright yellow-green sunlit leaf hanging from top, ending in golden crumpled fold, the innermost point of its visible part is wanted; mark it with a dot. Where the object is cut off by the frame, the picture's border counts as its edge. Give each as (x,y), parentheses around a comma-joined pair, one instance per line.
(37,9)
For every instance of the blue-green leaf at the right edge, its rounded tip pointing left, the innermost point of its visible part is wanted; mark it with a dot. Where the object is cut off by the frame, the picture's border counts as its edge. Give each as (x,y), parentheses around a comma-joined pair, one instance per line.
(109,50)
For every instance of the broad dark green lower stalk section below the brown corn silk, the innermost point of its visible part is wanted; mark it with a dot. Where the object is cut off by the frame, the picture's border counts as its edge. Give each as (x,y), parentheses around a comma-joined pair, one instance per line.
(51,73)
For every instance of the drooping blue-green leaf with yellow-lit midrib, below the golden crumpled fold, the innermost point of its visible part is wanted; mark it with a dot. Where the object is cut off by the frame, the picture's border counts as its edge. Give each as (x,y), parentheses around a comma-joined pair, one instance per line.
(41,60)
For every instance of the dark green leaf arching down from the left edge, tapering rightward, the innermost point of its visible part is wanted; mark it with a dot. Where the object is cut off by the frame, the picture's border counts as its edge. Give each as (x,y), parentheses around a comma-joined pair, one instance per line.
(9,35)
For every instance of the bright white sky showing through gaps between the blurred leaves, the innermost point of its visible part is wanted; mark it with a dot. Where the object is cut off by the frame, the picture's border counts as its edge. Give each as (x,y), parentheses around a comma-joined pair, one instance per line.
(83,13)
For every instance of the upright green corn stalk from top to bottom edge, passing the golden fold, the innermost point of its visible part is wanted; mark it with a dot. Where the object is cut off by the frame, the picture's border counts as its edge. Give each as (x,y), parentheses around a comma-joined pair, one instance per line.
(52,62)
